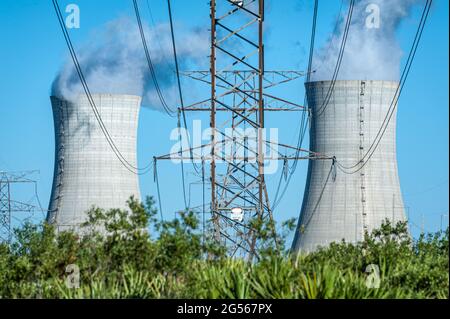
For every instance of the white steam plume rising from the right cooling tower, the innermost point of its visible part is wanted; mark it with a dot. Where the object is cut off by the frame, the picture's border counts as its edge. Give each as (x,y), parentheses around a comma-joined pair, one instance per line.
(372,50)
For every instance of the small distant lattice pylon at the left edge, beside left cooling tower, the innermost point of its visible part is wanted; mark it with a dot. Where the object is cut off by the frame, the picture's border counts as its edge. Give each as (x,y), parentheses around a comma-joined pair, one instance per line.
(9,206)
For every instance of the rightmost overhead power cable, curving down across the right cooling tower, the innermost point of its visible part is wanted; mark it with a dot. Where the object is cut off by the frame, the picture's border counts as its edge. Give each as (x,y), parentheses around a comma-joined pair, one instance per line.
(373,147)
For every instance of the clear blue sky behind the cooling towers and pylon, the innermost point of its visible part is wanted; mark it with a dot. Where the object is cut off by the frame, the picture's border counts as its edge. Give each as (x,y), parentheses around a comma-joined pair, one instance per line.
(33,50)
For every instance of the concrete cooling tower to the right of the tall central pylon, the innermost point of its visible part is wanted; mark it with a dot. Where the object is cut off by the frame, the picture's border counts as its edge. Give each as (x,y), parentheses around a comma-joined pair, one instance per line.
(344,203)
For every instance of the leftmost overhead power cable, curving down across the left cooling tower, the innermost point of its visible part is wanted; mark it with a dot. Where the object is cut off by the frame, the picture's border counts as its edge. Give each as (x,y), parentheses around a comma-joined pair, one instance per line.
(130,167)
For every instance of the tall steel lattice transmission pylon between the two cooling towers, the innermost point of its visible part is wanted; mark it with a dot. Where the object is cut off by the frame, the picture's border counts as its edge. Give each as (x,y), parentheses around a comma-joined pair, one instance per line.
(239,98)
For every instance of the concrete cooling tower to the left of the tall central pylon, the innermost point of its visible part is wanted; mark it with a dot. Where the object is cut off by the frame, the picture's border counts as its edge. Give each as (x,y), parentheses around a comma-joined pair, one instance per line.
(87,172)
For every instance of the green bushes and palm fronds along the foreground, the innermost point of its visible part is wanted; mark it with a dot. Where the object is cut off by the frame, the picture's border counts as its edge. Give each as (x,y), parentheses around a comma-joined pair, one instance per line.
(129,263)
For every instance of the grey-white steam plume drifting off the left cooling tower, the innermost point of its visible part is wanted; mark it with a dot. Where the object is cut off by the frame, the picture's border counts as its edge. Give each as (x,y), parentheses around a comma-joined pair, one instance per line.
(113,61)
